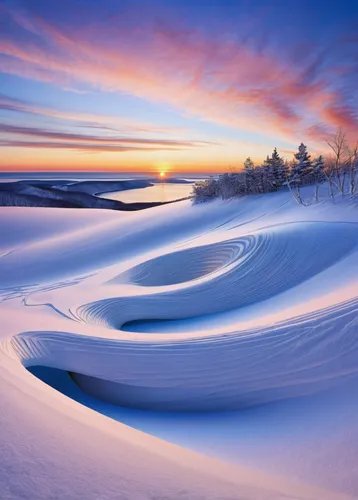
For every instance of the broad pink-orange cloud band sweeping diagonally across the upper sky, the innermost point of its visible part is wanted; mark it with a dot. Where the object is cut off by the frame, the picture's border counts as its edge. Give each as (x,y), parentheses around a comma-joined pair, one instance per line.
(216,80)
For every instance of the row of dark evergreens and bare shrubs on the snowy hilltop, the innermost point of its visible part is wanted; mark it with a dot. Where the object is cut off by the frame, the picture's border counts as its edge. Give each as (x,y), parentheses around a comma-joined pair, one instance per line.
(339,170)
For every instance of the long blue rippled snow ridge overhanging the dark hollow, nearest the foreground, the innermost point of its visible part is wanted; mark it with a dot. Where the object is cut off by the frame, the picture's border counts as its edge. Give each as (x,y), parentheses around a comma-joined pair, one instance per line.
(298,357)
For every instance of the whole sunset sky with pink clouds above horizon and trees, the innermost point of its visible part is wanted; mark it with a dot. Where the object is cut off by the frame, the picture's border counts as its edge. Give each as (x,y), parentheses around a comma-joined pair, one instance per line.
(173,85)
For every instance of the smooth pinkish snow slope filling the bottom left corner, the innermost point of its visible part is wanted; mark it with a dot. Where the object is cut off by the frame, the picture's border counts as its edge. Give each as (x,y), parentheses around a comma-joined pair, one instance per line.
(64,450)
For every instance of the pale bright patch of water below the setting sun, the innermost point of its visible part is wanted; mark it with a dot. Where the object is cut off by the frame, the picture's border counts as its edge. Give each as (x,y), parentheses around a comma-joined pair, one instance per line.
(160,192)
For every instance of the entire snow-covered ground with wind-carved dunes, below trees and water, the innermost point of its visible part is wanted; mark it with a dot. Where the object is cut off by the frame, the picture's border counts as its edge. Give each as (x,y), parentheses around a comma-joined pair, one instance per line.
(215,345)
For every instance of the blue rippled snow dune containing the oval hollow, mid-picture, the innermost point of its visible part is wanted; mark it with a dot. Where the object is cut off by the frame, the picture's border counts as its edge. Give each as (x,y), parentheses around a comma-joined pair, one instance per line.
(234,274)
